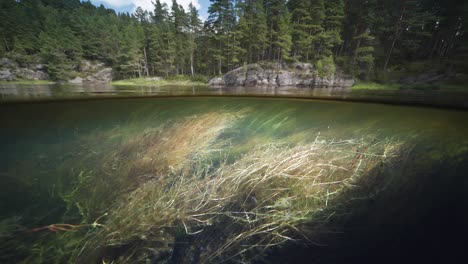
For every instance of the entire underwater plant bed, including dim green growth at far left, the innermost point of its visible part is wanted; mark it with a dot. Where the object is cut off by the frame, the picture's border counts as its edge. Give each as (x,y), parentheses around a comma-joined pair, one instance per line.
(225,186)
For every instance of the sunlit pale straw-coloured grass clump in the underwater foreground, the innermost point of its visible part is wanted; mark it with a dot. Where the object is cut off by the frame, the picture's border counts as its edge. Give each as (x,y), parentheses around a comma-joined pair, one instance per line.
(273,194)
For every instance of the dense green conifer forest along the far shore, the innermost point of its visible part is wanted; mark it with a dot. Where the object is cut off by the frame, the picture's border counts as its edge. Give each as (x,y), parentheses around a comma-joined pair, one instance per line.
(366,38)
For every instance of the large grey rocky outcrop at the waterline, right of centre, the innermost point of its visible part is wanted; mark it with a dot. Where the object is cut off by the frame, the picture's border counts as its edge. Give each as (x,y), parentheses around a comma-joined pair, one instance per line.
(282,74)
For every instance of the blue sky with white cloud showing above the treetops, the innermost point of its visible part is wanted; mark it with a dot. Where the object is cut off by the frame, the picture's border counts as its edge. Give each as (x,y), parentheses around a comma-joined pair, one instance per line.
(131,5)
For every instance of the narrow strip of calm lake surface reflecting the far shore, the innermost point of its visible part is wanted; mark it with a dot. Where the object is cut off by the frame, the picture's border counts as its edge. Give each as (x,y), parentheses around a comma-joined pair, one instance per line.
(18,92)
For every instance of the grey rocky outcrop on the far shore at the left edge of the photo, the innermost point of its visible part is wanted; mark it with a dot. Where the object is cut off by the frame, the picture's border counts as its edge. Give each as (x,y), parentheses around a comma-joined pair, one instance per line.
(11,71)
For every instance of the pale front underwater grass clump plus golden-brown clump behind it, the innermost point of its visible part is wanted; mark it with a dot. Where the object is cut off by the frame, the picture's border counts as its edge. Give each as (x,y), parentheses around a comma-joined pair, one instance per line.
(186,186)
